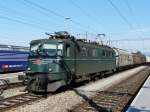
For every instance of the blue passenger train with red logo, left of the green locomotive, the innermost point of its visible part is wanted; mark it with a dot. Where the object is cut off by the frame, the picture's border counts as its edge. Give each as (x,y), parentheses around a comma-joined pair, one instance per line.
(13,58)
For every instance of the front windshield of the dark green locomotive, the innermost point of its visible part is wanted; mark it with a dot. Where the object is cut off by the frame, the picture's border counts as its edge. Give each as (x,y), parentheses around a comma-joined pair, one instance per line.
(46,49)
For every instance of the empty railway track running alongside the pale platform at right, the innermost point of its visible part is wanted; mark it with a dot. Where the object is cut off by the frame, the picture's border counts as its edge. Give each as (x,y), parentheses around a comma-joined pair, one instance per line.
(116,98)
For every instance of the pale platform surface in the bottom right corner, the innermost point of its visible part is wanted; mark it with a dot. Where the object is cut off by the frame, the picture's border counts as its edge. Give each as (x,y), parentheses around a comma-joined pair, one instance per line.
(141,103)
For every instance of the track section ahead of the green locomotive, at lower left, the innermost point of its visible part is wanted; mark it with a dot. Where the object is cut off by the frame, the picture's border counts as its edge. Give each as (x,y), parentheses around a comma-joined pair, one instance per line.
(18,100)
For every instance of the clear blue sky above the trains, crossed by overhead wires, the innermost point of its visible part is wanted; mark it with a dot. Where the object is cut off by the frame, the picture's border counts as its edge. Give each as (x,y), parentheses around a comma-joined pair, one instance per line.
(92,16)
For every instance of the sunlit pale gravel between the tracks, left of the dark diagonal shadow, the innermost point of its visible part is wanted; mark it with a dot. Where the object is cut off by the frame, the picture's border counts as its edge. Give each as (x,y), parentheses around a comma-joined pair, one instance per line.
(56,103)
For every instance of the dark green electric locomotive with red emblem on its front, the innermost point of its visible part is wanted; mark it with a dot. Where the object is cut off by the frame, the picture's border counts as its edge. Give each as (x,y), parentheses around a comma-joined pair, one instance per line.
(62,59)
